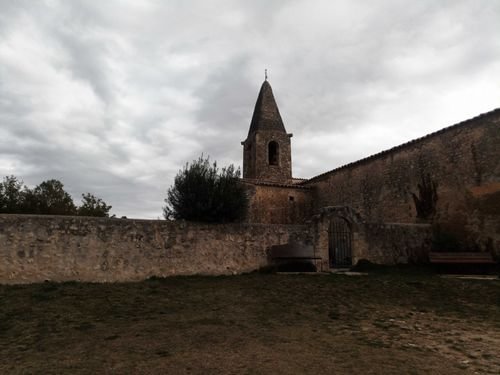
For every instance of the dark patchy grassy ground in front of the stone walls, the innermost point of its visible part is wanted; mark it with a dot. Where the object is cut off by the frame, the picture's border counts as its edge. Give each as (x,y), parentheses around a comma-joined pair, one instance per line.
(388,322)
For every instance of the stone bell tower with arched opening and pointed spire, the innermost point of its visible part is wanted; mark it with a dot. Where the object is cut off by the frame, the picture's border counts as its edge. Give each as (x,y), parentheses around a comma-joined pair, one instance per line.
(267,150)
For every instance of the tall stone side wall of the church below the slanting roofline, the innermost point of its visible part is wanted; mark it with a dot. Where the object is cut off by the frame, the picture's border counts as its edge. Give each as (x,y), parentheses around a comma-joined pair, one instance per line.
(462,161)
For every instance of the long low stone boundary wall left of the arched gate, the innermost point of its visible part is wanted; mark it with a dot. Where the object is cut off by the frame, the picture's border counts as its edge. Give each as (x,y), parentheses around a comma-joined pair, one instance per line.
(64,248)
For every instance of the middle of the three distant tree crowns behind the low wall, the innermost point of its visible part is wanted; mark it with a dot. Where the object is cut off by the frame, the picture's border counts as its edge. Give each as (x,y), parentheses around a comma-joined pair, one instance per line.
(50,198)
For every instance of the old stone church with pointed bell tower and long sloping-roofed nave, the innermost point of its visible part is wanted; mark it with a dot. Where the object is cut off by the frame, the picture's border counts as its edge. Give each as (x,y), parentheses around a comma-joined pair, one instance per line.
(447,182)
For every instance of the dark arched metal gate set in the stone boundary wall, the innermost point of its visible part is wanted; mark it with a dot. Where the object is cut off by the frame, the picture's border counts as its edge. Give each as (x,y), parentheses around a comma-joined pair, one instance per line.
(339,243)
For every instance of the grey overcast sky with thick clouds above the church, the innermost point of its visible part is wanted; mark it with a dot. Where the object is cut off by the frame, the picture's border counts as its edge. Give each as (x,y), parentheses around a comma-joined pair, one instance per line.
(114,97)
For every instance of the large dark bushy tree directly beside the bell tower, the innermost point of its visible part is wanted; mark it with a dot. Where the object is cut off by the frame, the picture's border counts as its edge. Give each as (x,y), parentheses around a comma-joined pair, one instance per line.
(202,192)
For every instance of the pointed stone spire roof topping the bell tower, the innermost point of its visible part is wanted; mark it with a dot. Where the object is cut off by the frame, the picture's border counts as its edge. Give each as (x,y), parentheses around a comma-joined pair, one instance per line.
(266,115)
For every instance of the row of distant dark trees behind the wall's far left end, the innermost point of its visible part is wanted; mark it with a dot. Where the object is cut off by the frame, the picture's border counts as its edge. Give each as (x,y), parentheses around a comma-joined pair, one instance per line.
(47,198)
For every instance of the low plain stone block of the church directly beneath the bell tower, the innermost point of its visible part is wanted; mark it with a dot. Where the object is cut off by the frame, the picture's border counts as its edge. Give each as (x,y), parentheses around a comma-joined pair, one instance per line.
(278,203)
